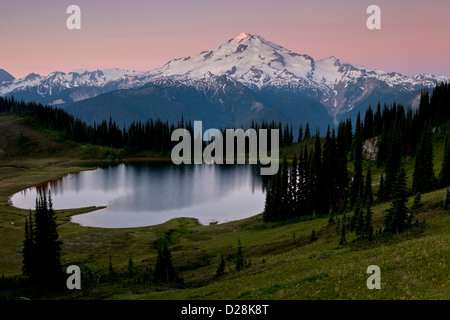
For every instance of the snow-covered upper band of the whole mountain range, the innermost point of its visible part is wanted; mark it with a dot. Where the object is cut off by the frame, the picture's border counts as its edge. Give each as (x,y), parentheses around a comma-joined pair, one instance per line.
(247,59)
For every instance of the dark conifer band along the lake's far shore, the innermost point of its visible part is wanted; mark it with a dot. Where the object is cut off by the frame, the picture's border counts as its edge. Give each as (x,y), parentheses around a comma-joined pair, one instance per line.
(150,135)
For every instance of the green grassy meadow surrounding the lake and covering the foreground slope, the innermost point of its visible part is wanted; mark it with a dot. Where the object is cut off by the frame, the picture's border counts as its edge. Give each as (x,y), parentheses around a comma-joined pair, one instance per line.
(282,261)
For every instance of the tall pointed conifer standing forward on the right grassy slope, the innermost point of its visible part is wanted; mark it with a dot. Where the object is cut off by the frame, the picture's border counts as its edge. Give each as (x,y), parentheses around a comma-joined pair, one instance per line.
(396,218)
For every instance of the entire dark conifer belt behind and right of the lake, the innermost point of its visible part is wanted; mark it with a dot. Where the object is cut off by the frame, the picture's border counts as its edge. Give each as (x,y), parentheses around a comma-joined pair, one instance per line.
(318,181)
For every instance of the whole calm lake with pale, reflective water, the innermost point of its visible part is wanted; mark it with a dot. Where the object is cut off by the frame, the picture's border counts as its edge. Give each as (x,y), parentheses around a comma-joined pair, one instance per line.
(143,194)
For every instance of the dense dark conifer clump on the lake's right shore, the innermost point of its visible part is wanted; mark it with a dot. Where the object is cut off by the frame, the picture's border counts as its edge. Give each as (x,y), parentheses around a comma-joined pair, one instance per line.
(316,183)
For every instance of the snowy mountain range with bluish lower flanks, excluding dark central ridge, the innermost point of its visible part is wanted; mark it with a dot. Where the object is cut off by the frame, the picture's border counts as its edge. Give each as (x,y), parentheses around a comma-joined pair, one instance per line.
(294,84)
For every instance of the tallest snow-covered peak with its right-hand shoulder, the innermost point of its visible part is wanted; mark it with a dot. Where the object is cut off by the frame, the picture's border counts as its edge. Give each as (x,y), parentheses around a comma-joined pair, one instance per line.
(259,64)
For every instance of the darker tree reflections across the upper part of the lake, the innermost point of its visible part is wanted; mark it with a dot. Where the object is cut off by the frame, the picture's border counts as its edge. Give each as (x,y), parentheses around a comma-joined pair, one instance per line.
(158,186)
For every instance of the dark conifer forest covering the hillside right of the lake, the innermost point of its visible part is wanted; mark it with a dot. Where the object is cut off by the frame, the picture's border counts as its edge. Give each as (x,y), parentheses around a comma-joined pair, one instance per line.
(318,182)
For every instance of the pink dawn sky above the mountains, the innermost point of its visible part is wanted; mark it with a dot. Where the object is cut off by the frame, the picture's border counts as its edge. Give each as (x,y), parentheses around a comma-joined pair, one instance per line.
(143,35)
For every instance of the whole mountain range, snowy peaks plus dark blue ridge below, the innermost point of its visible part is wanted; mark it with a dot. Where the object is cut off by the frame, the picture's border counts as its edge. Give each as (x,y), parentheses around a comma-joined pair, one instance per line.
(246,78)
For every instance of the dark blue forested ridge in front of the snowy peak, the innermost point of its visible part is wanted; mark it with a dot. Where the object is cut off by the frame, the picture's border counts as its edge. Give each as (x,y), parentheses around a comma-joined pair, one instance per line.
(233,104)
